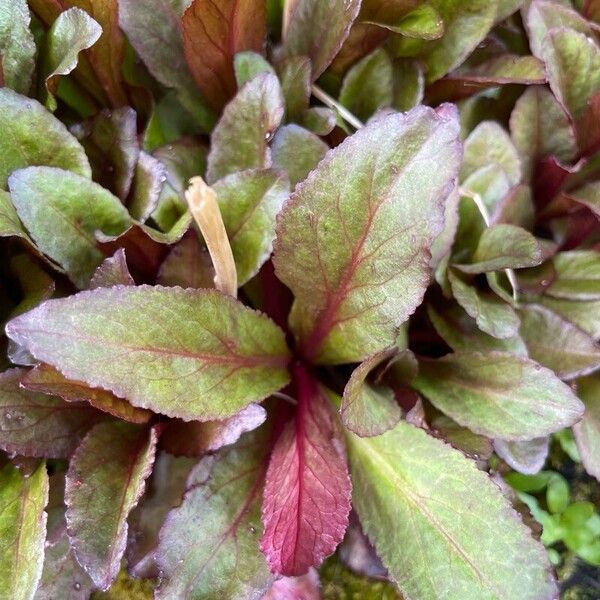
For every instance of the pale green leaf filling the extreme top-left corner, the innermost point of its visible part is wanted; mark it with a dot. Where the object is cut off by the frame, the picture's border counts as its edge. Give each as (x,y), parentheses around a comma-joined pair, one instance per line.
(17,46)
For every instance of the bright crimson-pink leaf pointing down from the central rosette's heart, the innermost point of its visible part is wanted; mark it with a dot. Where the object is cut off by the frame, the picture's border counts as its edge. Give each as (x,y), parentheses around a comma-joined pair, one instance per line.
(307,493)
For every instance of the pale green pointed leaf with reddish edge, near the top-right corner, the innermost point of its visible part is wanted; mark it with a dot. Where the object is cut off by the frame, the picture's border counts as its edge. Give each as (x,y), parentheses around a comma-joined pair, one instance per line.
(573,66)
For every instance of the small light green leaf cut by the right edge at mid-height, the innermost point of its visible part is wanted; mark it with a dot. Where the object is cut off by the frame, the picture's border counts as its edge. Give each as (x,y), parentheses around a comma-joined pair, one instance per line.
(577,275)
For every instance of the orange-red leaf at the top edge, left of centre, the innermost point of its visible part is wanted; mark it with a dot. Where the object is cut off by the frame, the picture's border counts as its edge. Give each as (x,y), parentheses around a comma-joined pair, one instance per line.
(213,32)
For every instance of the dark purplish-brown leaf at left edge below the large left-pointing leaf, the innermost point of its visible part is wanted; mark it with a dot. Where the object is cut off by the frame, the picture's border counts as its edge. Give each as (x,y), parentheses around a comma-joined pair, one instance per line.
(34,424)
